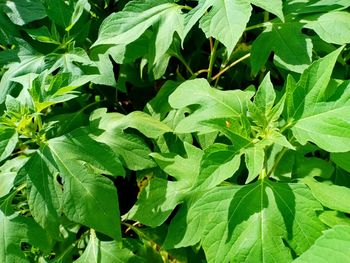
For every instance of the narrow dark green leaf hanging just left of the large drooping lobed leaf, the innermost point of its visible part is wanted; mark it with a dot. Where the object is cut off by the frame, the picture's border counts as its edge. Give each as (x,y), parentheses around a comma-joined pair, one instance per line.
(44,193)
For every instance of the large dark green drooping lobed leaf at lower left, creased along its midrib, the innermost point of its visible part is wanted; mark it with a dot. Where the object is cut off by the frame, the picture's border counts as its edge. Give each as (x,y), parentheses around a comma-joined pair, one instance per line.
(88,197)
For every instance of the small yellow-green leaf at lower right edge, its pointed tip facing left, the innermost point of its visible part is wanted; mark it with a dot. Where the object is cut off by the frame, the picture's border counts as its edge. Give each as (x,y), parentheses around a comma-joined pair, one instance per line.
(335,197)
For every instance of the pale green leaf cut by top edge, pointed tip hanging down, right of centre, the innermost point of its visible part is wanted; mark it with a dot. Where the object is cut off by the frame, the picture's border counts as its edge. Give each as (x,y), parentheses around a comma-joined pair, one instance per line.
(226,21)
